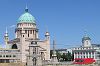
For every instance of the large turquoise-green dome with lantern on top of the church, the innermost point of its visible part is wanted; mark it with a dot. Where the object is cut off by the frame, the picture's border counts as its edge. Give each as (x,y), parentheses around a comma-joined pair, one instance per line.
(26,17)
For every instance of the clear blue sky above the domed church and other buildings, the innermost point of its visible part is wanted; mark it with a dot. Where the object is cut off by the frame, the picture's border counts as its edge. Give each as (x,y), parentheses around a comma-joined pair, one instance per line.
(66,20)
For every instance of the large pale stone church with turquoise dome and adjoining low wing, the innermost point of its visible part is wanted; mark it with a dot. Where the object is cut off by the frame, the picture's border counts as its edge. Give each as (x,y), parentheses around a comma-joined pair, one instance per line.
(26,31)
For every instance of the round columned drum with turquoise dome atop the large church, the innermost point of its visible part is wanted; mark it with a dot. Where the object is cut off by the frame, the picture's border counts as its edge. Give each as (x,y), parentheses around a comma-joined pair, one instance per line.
(26,26)
